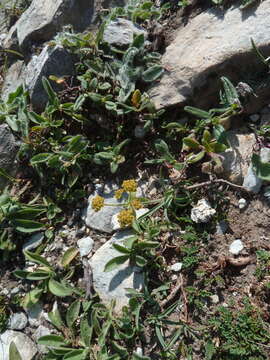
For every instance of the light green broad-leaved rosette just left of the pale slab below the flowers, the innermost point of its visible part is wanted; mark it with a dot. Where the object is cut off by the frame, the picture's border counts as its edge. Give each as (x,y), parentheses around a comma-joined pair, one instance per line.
(50,279)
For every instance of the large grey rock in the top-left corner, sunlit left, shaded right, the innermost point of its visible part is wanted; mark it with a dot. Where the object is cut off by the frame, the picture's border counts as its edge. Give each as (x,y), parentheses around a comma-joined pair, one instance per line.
(44,18)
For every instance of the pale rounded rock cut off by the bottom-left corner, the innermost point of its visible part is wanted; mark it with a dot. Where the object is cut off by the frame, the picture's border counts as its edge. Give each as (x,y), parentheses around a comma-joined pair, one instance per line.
(26,348)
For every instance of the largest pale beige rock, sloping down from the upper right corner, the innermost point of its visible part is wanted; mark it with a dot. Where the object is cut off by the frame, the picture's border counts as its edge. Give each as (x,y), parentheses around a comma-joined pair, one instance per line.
(208,48)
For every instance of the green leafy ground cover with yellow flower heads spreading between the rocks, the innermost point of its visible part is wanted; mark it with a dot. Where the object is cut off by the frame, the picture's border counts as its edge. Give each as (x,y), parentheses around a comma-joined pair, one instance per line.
(88,127)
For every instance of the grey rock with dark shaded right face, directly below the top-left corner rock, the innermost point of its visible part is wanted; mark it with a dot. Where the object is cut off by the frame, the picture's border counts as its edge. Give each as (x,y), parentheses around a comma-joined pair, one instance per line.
(51,61)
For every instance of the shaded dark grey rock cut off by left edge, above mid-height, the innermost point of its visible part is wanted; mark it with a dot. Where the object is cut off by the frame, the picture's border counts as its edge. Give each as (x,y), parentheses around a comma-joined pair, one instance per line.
(8,152)
